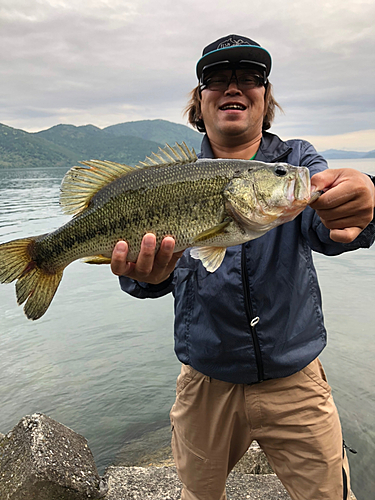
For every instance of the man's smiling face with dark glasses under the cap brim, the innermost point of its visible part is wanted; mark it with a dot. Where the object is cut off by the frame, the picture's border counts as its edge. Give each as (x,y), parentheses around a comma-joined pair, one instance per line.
(233,115)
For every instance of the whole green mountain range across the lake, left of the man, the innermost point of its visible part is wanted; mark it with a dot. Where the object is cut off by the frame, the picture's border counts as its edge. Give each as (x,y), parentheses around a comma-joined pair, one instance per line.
(66,145)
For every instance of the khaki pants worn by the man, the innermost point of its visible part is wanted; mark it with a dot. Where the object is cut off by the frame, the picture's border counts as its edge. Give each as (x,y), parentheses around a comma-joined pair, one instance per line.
(294,420)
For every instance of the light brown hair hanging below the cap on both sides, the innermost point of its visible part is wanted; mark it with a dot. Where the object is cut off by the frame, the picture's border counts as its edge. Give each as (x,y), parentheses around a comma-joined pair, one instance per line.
(193,109)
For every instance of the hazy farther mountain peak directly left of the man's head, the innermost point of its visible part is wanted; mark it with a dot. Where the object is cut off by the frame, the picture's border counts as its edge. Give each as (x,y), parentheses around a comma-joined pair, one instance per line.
(160,131)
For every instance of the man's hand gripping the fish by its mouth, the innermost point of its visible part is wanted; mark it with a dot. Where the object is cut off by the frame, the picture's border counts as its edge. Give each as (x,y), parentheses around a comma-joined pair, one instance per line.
(347,205)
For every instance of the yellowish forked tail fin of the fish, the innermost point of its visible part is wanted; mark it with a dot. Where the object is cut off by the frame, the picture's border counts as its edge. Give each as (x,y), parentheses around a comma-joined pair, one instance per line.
(34,285)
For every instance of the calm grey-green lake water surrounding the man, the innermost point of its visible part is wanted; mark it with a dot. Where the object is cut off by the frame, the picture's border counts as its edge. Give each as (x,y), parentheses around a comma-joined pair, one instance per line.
(103,364)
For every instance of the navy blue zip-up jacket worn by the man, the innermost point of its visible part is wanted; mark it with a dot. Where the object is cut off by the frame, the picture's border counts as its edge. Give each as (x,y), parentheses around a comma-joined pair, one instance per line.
(259,316)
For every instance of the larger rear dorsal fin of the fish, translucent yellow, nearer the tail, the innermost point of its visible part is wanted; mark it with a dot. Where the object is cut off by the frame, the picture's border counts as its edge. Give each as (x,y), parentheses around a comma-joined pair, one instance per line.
(81,183)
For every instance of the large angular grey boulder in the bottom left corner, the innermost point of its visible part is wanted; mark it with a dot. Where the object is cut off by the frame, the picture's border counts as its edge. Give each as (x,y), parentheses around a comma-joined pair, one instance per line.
(41,459)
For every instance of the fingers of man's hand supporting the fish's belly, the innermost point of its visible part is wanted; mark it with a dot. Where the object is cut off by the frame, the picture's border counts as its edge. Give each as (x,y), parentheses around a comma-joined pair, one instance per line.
(149,268)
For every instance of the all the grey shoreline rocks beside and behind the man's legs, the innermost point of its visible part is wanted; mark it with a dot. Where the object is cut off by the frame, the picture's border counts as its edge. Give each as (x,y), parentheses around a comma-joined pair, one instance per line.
(41,459)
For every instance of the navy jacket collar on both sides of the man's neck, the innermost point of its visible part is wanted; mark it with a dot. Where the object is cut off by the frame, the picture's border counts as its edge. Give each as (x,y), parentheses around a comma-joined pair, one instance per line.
(271,148)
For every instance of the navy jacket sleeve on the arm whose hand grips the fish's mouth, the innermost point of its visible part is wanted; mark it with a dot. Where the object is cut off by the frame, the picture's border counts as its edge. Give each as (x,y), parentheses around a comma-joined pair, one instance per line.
(313,230)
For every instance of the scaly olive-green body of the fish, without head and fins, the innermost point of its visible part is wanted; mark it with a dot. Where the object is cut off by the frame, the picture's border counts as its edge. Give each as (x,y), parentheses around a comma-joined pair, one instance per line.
(177,201)
